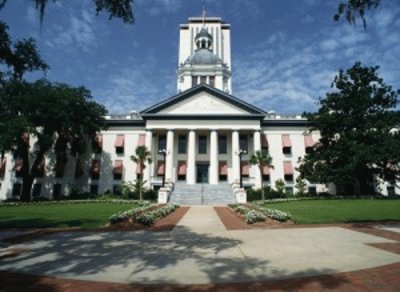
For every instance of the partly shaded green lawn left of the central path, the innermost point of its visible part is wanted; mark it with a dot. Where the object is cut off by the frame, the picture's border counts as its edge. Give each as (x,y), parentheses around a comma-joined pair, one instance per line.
(85,215)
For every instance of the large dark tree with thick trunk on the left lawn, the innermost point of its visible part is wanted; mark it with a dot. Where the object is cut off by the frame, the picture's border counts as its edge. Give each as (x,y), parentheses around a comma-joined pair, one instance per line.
(57,115)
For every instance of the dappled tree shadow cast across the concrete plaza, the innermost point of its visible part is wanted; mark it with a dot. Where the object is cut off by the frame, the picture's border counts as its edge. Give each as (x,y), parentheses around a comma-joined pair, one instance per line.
(147,257)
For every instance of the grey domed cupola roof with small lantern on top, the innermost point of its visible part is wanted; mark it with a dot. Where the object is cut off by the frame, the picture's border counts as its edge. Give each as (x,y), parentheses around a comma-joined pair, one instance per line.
(203,54)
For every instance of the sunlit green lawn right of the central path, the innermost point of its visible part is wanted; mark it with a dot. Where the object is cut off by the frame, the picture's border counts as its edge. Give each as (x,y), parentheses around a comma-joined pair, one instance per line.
(340,211)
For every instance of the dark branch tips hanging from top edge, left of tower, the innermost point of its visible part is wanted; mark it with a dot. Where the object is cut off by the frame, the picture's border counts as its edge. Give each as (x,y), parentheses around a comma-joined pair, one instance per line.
(115,8)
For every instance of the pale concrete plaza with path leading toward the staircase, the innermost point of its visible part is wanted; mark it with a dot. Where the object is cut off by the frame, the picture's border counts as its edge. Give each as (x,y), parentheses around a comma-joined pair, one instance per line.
(199,251)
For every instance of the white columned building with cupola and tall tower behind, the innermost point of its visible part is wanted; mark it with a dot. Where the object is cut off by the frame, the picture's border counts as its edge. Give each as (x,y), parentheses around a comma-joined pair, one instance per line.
(194,137)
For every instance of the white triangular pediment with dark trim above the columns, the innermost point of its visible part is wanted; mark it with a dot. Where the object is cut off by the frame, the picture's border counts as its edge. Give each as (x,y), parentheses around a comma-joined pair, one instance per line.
(203,100)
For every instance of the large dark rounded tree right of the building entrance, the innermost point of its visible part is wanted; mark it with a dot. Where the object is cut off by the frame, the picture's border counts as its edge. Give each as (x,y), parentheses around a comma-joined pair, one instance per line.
(359,128)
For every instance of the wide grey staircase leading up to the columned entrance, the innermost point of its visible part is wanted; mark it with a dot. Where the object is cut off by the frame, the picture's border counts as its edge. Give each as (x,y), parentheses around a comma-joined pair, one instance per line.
(202,194)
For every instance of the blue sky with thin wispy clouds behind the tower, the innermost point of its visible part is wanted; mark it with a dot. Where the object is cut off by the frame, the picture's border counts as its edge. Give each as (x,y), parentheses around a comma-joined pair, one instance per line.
(285,53)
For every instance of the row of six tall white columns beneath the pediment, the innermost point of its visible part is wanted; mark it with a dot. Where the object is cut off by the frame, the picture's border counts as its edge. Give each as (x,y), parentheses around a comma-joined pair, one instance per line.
(191,156)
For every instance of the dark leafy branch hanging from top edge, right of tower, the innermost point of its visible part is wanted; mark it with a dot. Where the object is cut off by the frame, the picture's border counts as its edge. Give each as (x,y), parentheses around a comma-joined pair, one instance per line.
(353,7)
